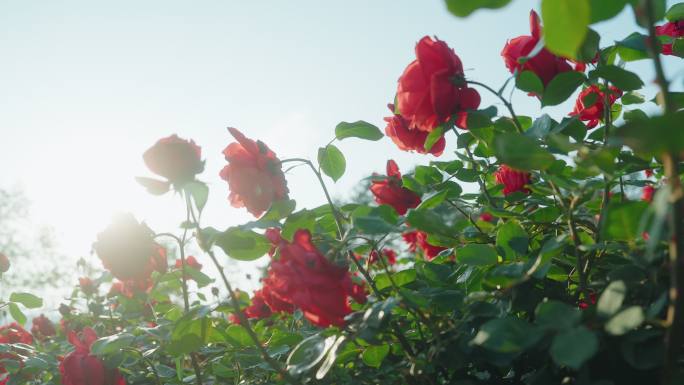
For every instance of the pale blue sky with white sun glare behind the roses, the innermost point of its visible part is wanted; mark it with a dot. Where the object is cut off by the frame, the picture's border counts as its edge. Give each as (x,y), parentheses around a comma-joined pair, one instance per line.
(86,86)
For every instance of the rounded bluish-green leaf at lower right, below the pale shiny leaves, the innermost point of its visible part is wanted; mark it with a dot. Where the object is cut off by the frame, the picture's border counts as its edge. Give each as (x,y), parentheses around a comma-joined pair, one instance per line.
(572,348)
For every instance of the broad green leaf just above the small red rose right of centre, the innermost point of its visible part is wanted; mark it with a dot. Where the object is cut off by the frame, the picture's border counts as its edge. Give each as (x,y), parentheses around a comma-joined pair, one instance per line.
(521,152)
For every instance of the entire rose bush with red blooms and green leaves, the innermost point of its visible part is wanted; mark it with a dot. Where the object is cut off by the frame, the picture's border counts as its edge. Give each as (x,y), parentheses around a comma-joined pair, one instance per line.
(538,252)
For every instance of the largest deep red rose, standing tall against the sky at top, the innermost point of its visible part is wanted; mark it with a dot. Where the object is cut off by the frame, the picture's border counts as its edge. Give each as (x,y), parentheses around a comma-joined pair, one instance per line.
(432,88)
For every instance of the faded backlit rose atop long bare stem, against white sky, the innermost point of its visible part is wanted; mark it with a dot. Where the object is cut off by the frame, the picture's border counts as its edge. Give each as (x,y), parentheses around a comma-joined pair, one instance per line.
(176,159)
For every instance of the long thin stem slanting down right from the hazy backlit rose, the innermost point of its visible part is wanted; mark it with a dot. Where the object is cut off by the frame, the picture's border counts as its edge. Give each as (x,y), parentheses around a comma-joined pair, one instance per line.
(244,321)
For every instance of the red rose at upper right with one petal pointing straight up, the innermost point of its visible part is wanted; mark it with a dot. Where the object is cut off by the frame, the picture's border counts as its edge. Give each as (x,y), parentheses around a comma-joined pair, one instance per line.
(544,64)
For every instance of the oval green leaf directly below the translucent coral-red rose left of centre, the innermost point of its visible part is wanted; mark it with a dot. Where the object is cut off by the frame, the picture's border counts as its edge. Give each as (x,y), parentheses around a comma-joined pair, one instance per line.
(243,245)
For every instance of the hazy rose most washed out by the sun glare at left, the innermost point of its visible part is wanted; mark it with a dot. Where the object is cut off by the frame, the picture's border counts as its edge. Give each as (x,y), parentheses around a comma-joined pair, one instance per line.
(128,250)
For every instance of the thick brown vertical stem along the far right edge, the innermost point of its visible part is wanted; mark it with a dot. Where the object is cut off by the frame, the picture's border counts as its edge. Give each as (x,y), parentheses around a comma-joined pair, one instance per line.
(675,310)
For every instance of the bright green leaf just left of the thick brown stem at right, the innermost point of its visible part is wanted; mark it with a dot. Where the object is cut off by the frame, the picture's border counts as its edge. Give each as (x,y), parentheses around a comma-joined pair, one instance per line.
(623,219)
